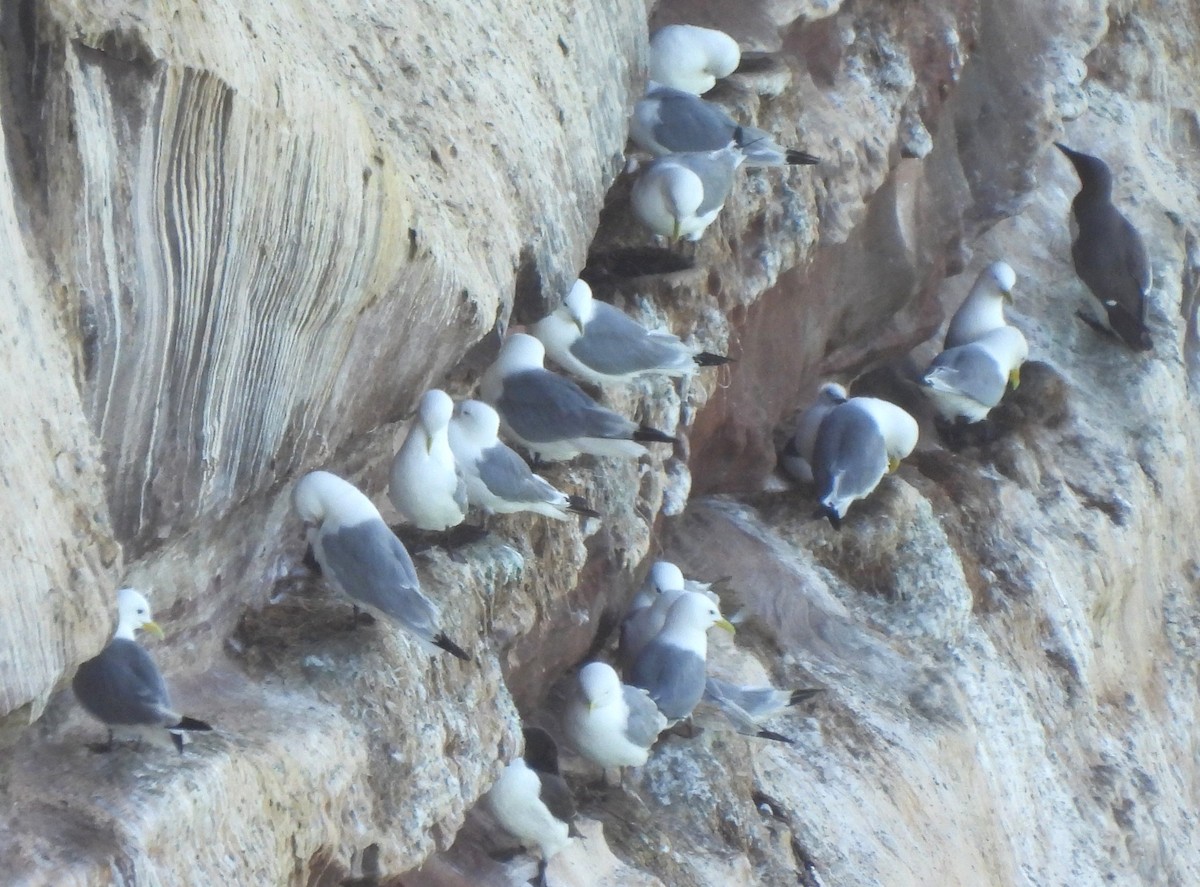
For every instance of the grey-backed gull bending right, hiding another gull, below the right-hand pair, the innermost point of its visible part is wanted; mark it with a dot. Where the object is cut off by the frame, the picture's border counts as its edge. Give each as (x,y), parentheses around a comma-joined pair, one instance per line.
(859,443)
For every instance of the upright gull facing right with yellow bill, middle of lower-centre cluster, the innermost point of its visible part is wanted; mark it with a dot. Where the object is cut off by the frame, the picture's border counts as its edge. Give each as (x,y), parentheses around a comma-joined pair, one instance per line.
(671,667)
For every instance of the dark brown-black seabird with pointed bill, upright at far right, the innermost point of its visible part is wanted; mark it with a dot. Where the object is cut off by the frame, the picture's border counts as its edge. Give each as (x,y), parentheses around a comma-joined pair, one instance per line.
(1109,255)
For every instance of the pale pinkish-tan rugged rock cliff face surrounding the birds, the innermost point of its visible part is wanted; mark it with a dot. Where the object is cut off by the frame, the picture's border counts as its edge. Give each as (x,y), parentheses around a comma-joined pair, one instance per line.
(241,239)
